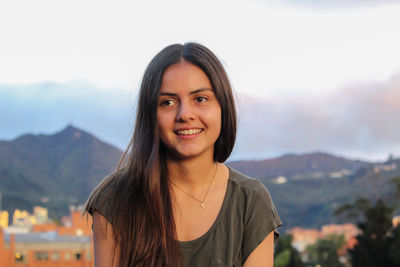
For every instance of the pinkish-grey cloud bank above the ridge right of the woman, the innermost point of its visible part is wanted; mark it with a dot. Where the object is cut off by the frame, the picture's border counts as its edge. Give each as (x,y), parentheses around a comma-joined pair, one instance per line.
(359,120)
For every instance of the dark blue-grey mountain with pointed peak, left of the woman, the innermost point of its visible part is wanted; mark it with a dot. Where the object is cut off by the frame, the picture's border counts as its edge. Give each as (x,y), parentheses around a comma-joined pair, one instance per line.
(53,170)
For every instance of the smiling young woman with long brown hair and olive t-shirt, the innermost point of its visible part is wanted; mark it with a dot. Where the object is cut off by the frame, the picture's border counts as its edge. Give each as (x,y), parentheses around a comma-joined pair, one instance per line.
(176,203)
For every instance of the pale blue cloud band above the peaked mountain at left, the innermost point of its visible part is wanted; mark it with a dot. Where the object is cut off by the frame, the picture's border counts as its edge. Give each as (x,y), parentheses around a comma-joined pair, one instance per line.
(48,107)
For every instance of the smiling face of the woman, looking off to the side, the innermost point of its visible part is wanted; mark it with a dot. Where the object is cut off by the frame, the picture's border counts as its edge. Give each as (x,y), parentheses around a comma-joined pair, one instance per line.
(188,112)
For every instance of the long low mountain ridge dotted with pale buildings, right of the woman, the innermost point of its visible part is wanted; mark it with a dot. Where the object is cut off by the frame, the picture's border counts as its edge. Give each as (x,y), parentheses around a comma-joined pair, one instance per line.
(308,188)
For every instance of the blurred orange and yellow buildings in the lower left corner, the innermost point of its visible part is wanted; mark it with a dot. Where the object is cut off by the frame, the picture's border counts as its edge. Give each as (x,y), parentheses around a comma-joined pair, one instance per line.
(35,240)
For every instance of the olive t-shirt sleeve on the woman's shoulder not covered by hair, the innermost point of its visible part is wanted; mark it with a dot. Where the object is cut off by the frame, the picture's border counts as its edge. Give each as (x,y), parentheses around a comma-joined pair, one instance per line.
(261,218)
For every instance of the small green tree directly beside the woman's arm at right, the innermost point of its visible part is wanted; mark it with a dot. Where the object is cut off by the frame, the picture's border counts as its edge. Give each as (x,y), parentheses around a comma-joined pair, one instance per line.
(285,254)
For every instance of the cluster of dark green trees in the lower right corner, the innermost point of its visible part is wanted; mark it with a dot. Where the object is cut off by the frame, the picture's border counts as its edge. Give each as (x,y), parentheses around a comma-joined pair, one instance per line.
(378,243)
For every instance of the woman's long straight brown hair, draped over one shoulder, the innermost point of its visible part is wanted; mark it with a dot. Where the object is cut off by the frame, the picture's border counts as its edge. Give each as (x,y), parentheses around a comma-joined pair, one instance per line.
(139,202)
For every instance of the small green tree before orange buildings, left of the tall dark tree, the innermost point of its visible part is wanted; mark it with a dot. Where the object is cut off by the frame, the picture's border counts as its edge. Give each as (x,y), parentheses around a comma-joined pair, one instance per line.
(325,251)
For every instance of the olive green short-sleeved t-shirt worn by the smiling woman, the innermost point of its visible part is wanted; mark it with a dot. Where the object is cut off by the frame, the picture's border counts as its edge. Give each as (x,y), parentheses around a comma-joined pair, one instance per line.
(246,217)
